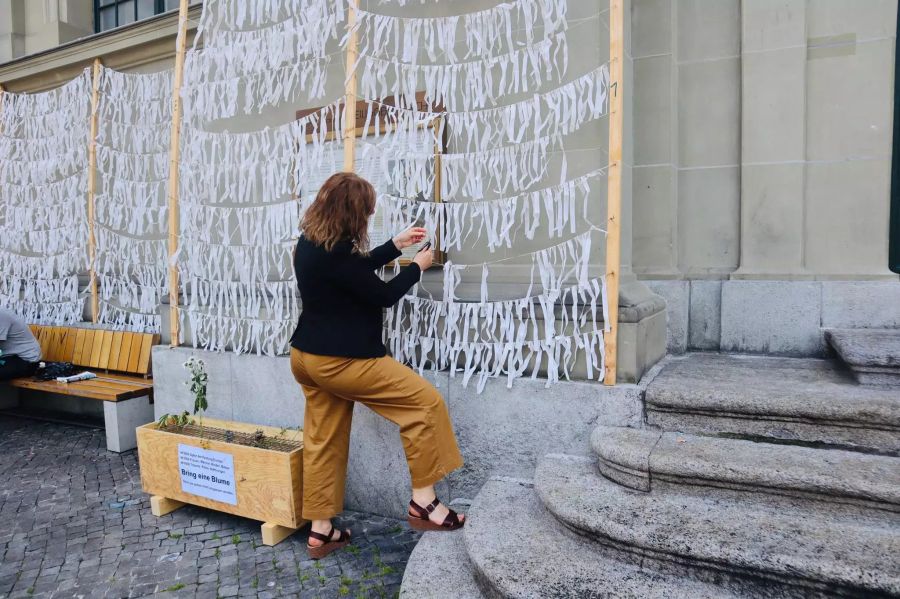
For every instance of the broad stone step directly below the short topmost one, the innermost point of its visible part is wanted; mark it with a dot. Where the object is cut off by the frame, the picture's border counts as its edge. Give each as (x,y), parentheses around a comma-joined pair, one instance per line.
(798,400)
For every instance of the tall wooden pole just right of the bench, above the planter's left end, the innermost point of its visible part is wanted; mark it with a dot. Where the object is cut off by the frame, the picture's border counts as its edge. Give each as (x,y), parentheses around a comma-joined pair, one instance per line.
(180,46)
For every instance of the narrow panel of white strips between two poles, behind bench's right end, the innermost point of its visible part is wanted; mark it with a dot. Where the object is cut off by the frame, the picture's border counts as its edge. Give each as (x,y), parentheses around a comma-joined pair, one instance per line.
(131,211)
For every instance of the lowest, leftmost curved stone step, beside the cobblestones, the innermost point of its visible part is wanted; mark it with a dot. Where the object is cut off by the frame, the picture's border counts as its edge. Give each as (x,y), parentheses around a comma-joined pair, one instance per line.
(439,568)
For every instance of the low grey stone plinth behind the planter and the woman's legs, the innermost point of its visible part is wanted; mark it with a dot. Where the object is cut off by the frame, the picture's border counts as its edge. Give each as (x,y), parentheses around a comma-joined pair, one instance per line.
(501,430)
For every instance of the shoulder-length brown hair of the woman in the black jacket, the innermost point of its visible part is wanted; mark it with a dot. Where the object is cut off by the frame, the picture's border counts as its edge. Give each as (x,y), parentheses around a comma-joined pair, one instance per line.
(340,212)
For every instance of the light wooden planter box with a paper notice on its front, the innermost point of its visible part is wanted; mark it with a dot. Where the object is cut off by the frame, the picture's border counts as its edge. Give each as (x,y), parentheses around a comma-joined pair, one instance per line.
(257,483)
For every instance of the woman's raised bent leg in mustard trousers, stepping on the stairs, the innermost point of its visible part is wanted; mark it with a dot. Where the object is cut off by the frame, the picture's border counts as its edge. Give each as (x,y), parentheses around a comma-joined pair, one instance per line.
(397,393)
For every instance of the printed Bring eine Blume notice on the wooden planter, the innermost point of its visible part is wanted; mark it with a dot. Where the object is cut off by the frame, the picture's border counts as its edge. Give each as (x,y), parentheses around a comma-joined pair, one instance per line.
(206,473)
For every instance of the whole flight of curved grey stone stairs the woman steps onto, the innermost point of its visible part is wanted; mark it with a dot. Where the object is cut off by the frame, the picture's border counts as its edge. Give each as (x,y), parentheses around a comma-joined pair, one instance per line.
(737,488)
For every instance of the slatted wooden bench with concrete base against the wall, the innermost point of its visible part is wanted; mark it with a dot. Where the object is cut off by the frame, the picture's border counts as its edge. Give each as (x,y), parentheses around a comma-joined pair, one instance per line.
(121,361)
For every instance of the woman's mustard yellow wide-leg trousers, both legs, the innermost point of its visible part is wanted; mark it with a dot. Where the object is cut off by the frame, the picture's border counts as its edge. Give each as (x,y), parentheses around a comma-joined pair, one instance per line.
(331,386)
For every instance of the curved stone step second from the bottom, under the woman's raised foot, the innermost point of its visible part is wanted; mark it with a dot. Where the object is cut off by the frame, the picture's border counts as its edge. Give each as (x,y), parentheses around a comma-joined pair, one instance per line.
(518,550)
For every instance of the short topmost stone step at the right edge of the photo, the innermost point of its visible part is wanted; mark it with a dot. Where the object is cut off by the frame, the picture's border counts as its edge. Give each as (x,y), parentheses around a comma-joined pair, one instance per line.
(872,354)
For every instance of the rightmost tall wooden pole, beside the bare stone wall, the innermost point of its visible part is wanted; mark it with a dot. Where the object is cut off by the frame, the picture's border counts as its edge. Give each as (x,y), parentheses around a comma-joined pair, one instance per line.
(614,183)
